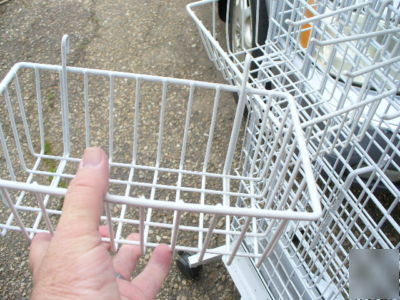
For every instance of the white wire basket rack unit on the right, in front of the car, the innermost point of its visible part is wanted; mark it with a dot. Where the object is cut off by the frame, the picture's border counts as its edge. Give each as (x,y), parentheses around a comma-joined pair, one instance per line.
(340,61)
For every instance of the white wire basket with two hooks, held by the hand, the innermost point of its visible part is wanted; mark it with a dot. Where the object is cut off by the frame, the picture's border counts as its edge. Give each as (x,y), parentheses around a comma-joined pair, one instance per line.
(160,188)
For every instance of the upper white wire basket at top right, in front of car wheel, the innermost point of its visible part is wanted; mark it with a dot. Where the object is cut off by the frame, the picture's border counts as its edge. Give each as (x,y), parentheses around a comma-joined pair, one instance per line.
(340,60)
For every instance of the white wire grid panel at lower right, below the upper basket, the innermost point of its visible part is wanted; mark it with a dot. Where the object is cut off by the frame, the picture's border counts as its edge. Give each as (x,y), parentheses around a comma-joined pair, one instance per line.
(360,197)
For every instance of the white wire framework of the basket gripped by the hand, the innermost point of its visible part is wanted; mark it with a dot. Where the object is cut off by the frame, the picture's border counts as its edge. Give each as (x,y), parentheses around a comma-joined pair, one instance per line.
(29,190)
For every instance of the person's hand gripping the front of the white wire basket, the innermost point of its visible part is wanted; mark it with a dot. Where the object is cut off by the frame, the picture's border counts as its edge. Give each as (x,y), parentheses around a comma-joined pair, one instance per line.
(75,263)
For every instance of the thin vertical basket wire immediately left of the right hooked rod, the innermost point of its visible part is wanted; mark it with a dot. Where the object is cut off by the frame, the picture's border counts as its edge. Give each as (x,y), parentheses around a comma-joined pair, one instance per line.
(207,157)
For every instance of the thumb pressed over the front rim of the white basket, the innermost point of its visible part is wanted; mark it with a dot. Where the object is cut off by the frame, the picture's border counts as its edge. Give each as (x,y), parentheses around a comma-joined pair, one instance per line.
(83,203)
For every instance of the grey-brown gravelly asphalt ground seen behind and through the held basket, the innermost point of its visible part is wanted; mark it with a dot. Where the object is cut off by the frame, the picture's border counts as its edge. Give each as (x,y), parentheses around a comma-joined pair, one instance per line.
(152,37)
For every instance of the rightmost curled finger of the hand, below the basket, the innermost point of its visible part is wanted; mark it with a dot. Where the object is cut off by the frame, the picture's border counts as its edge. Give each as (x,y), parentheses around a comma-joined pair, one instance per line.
(153,276)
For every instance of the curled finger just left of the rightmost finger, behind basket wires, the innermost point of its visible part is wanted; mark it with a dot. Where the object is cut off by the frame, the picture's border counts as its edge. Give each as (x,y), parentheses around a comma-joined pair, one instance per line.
(126,259)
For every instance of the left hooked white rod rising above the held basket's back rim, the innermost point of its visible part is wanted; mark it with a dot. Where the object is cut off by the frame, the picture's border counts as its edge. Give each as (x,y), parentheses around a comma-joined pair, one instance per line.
(65,47)
